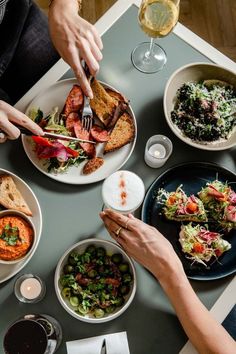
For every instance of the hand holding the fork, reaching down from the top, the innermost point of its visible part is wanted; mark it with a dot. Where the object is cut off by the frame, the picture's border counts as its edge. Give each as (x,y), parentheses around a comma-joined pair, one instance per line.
(75,39)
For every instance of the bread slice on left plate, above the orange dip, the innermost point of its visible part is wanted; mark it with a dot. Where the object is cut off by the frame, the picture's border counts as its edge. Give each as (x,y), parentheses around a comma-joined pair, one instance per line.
(10,196)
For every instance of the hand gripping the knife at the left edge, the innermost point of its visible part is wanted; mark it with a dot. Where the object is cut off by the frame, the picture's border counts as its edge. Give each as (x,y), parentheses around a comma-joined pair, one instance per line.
(9,116)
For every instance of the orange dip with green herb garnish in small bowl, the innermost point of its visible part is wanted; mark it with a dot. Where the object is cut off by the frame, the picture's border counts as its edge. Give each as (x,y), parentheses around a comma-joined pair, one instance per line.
(22,238)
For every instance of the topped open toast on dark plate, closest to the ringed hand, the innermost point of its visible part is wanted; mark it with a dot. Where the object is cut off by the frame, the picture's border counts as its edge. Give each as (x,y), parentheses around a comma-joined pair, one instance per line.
(200,244)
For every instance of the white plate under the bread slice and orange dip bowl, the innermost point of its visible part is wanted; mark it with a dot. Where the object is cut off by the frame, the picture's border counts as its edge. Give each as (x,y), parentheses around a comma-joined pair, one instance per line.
(9,270)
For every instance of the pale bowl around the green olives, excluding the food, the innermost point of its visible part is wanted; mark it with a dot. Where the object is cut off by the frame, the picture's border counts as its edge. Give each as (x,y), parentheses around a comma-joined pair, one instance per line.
(80,247)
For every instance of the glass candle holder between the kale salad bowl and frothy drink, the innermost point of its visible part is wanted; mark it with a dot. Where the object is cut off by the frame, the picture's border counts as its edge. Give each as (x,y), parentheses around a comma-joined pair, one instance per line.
(157,151)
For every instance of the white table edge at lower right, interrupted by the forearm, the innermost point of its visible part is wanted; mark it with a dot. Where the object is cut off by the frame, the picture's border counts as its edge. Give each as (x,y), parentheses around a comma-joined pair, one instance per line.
(219,311)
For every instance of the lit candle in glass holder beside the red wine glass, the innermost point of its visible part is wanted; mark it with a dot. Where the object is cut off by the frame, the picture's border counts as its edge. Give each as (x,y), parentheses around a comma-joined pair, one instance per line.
(29,288)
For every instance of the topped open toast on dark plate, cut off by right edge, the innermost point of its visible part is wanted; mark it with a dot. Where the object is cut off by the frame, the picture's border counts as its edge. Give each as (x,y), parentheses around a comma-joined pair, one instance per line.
(219,200)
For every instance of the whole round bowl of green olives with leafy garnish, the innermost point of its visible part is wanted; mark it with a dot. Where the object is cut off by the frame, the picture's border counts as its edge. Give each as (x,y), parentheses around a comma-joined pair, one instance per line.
(95,280)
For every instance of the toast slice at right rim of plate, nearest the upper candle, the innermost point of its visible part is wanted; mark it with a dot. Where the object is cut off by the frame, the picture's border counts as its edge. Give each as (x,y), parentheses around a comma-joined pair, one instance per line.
(123,133)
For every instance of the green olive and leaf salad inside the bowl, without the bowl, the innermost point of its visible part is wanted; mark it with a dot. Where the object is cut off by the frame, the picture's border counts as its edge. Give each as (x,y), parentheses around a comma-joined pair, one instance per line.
(94,282)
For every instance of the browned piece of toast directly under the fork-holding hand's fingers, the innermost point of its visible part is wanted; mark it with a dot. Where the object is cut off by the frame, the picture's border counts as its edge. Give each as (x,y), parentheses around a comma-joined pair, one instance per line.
(102,104)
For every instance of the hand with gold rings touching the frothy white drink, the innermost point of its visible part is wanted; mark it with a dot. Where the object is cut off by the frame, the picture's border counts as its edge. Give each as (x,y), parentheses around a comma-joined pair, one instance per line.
(144,243)
